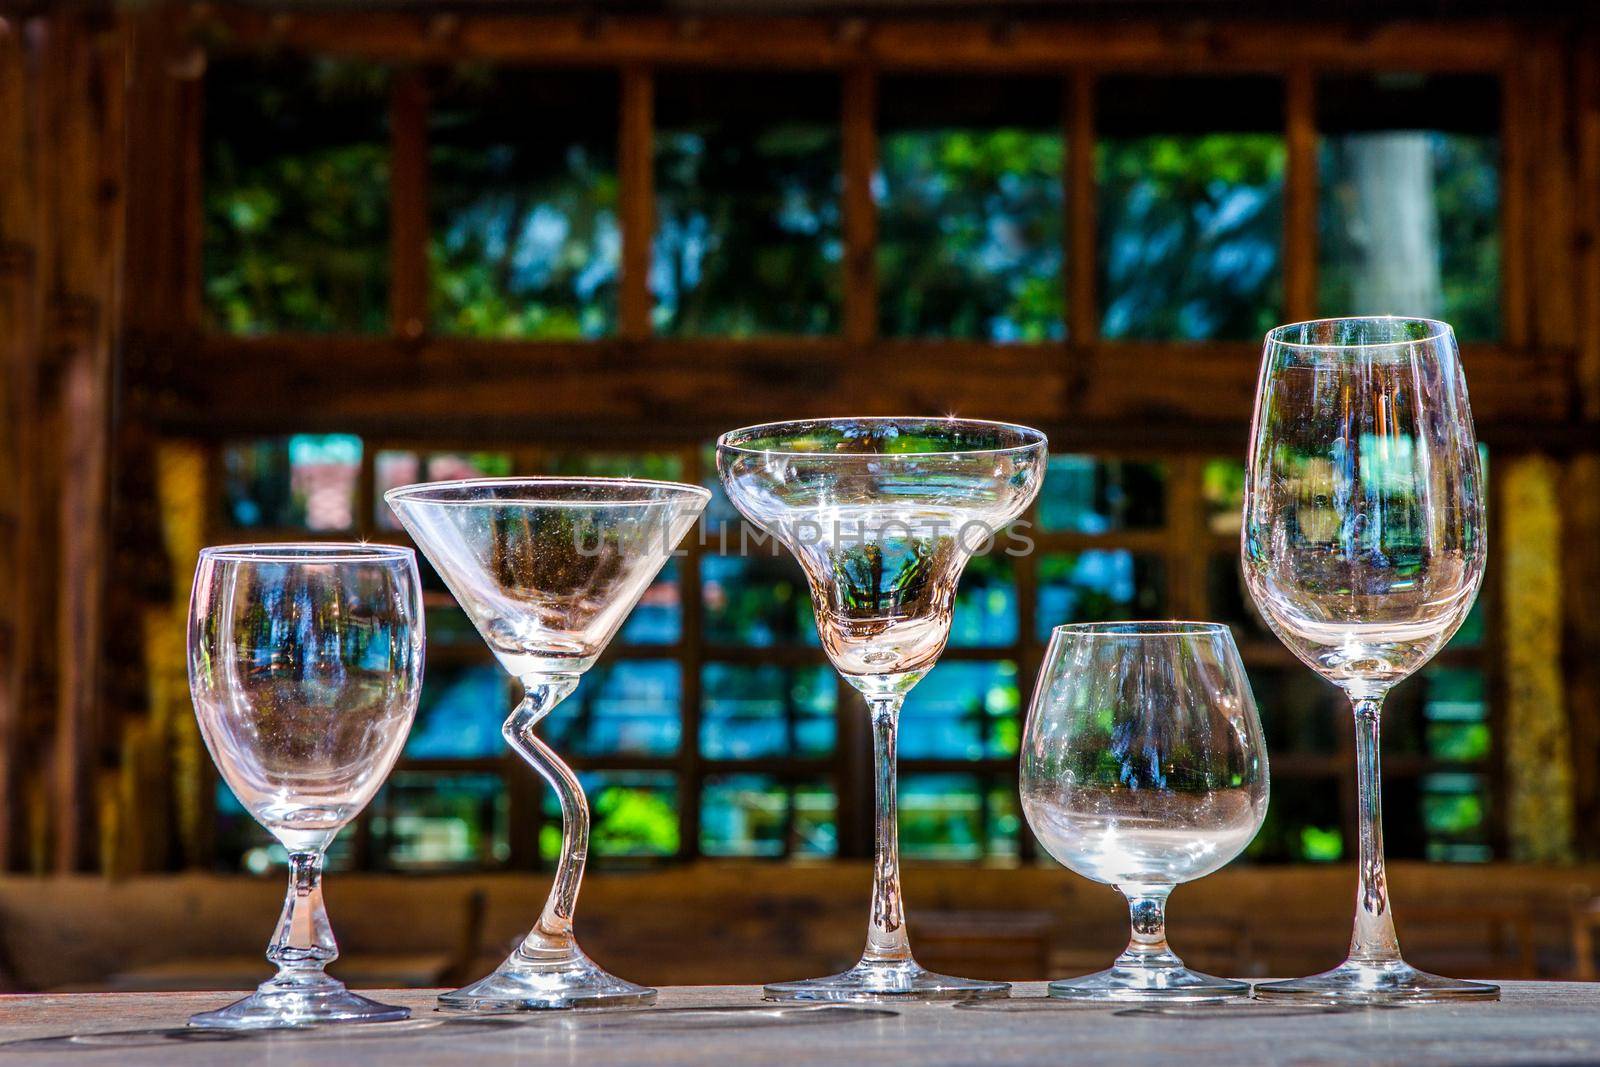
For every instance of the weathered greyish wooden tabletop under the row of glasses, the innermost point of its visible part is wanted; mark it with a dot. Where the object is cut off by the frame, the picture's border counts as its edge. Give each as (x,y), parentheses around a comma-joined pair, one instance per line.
(1535,1023)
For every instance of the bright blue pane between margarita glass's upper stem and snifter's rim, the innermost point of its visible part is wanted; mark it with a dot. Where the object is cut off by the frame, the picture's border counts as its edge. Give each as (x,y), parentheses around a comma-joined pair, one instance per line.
(962,711)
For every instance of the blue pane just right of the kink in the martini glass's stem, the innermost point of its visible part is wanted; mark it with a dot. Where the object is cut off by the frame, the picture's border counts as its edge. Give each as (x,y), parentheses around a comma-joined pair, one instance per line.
(628,708)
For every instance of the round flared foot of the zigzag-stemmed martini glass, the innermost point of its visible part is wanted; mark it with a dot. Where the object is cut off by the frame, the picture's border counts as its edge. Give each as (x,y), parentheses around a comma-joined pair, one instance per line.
(527,985)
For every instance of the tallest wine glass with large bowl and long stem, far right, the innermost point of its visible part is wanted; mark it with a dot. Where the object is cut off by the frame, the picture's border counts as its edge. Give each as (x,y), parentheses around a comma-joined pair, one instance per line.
(1364,548)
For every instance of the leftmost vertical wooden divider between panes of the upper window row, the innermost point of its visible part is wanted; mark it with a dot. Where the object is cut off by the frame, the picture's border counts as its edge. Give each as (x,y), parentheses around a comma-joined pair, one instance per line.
(409,225)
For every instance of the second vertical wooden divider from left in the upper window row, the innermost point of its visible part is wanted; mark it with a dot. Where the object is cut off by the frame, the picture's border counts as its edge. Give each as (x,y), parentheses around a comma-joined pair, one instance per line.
(638,178)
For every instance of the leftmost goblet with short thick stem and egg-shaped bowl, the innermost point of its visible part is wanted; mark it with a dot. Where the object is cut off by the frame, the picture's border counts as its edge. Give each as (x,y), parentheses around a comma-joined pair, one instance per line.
(305,666)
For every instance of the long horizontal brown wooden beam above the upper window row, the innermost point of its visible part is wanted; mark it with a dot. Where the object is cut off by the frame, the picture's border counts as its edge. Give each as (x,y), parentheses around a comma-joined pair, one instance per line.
(905,44)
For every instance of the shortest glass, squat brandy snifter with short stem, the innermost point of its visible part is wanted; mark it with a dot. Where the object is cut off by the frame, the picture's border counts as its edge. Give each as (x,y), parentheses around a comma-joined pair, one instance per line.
(1143,767)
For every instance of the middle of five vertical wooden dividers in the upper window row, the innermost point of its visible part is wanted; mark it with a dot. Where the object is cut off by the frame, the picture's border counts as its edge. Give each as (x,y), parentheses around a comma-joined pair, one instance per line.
(862,212)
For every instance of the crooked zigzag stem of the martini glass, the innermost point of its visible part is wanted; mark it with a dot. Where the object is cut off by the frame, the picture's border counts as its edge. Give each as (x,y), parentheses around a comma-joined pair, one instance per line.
(553,935)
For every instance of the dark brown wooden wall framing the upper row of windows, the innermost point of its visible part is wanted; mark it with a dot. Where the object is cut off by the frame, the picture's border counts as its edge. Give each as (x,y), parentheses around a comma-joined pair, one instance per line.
(105,359)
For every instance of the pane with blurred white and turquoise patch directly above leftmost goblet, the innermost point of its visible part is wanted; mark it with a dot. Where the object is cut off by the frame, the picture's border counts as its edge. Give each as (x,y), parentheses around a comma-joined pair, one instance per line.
(302,482)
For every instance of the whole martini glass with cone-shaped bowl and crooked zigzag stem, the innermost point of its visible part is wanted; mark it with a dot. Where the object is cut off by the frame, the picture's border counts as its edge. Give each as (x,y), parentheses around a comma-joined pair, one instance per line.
(548,569)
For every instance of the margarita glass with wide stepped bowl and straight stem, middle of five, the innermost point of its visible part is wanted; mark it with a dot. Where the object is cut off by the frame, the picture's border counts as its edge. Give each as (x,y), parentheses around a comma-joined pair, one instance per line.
(882,516)
